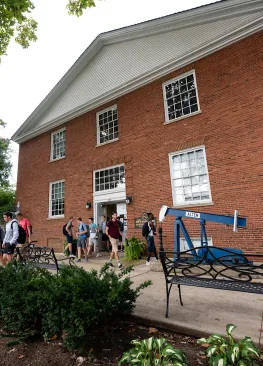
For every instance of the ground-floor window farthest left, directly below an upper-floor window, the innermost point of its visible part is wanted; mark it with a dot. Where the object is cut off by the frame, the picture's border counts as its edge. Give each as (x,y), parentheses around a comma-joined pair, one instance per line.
(56,198)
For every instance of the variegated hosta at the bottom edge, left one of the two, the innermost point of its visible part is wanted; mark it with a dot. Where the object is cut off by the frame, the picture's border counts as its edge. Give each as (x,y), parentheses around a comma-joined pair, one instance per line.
(153,352)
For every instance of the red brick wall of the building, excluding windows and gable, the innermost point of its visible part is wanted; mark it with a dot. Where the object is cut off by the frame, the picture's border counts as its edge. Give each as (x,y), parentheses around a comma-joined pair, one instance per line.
(230,126)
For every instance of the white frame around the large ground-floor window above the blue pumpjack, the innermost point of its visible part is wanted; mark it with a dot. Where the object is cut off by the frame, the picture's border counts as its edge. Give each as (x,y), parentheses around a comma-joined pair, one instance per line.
(190,203)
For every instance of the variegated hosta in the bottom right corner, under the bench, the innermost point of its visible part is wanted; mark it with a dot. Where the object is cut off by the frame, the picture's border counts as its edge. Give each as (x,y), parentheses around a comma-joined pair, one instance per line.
(226,351)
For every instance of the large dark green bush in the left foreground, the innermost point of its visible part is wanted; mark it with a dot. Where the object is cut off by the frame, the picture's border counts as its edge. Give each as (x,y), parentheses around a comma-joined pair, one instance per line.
(67,305)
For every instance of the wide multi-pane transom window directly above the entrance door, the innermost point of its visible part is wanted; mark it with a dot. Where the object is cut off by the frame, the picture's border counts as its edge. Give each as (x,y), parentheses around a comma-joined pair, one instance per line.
(110,178)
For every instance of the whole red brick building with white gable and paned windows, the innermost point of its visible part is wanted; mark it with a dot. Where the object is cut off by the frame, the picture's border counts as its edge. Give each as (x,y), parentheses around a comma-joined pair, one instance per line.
(168,111)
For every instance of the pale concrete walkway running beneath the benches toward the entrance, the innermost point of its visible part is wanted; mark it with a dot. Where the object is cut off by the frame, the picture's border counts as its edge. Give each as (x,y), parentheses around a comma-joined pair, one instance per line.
(205,311)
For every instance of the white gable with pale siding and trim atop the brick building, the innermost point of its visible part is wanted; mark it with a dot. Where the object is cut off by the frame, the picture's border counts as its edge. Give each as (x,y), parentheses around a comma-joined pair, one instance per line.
(120,61)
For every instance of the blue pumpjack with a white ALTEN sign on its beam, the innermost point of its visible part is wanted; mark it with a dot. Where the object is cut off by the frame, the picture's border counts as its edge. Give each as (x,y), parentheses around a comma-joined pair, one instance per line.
(179,227)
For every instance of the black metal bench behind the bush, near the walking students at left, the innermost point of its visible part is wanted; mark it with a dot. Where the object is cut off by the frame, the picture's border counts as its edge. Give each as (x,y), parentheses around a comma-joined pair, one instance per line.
(42,257)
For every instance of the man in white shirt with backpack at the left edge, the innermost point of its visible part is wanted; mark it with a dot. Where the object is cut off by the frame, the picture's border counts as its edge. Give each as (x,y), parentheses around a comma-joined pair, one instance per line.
(10,239)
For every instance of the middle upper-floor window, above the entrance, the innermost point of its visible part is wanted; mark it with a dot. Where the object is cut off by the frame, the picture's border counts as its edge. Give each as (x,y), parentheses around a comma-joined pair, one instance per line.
(107,125)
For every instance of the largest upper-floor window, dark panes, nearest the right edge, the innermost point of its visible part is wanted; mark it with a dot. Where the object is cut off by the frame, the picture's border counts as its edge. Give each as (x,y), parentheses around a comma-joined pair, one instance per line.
(180,97)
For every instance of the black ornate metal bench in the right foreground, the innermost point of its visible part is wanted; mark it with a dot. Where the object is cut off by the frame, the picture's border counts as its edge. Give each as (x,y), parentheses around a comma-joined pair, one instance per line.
(231,271)
